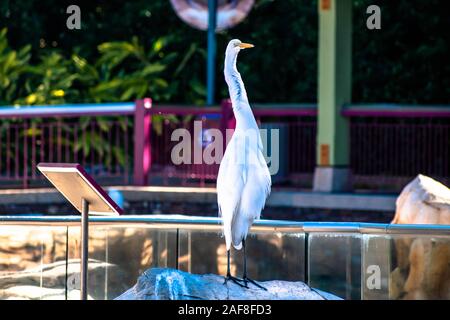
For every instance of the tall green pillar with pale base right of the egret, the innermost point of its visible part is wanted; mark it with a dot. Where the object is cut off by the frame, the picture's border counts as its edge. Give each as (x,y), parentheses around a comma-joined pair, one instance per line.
(335,73)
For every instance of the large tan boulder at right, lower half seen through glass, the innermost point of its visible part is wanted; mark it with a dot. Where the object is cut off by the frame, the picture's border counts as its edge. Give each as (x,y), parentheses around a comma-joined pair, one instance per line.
(423,263)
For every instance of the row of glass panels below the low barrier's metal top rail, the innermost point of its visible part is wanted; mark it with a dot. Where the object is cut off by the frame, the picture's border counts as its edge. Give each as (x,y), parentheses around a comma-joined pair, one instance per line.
(40,262)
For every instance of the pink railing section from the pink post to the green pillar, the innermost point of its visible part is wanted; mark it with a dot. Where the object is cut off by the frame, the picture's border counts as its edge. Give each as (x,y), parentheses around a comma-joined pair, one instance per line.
(158,168)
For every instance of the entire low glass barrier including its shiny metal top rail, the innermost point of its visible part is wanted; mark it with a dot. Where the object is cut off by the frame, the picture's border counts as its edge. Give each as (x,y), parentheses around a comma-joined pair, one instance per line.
(334,257)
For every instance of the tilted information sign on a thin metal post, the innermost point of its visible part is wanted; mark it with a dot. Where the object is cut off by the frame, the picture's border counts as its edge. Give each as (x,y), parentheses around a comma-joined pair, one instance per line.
(73,182)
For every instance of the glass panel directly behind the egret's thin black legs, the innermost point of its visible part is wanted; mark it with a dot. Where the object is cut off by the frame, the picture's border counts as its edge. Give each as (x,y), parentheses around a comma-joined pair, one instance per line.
(270,255)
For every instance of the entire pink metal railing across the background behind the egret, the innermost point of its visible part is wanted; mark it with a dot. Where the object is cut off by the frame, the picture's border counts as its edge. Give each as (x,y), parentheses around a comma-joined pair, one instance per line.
(131,142)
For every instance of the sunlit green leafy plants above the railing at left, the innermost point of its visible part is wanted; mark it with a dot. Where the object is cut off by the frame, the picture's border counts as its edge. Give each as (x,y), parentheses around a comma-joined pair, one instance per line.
(124,71)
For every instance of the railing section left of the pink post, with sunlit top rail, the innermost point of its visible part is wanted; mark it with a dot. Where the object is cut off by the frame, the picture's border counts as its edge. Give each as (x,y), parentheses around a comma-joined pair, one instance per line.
(95,135)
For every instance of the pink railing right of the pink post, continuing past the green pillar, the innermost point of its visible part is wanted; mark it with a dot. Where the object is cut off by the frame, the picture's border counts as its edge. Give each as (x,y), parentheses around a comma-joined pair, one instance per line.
(389,144)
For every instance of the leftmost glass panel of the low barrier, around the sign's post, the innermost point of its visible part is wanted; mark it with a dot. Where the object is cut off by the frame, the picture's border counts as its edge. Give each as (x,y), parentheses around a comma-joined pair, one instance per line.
(32,262)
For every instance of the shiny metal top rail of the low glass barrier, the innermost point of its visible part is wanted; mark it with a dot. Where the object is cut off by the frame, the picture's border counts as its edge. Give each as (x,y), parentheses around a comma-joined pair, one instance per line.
(213,223)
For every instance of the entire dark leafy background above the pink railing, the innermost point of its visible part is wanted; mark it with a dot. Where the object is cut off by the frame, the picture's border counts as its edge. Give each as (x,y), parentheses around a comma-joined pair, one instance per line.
(127,49)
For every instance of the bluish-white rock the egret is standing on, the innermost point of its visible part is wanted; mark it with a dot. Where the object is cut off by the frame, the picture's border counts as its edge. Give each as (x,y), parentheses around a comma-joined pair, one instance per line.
(171,284)
